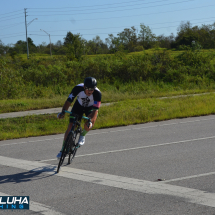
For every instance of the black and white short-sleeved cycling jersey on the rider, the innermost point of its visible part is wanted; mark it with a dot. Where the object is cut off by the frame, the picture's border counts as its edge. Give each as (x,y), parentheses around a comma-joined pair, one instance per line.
(93,100)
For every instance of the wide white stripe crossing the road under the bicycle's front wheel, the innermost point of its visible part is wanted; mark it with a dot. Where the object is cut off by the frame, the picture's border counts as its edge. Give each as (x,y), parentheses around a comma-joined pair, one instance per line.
(142,186)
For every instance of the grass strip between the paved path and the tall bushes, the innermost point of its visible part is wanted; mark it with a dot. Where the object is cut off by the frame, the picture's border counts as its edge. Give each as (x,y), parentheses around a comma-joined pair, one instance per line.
(110,93)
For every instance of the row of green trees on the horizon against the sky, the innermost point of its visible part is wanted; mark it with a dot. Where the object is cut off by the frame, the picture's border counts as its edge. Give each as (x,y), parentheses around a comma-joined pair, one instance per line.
(129,40)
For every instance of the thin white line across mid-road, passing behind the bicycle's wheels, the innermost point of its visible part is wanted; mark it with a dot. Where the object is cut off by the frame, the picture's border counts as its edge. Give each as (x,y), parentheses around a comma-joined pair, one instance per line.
(140,147)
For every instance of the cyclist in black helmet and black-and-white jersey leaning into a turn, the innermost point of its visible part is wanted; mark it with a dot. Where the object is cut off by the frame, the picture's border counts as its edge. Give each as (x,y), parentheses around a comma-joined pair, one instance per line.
(88,103)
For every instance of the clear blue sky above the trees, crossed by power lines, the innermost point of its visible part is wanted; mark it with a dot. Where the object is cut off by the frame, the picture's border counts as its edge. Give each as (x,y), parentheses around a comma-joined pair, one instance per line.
(97,17)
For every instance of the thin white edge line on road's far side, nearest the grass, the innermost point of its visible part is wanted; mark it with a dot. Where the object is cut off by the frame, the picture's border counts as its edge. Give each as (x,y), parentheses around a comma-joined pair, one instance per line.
(122,130)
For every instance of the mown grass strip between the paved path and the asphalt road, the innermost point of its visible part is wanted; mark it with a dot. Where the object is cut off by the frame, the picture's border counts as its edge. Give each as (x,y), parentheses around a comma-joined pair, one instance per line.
(119,114)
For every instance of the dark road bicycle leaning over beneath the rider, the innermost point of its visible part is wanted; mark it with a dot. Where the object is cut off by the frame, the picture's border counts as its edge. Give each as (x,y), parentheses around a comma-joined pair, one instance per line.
(71,144)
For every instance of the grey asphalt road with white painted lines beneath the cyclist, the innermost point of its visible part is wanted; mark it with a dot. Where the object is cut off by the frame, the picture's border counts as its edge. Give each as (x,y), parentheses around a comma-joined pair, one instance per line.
(117,170)
